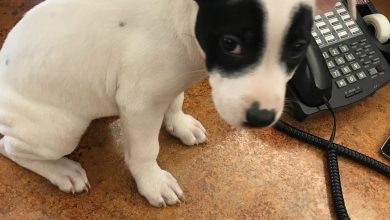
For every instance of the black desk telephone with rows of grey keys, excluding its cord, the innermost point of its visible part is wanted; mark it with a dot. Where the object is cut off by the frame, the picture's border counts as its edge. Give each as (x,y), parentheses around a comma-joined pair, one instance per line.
(344,63)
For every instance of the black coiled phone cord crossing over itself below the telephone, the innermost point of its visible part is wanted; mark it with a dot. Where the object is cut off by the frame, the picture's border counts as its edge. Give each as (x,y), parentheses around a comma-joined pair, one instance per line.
(332,151)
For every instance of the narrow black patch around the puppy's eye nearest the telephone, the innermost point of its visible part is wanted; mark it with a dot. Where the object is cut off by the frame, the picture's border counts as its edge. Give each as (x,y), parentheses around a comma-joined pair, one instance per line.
(293,52)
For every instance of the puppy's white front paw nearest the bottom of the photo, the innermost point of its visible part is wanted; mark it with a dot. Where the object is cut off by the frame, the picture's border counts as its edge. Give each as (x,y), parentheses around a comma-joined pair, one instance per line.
(160,188)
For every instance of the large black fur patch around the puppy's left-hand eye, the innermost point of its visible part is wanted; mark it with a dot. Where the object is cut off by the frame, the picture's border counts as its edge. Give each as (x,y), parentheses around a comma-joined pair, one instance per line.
(242,19)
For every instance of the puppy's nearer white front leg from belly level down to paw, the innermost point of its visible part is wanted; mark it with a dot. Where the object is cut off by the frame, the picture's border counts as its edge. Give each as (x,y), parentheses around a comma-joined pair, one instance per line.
(141,127)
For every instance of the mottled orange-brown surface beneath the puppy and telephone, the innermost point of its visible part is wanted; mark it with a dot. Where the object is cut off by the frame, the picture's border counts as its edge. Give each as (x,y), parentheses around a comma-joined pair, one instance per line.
(238,174)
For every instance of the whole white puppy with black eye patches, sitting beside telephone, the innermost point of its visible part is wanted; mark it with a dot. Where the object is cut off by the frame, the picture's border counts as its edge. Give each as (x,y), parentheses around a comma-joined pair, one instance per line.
(68,62)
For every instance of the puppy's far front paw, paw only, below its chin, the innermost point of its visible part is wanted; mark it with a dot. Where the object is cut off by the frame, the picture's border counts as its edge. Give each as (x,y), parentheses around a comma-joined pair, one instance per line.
(189,130)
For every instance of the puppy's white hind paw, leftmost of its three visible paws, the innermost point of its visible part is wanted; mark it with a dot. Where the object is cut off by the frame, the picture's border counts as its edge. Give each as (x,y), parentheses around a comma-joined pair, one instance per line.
(68,175)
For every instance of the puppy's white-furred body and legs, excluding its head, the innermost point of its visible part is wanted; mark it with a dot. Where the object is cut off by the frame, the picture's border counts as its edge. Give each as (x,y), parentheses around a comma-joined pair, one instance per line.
(74,68)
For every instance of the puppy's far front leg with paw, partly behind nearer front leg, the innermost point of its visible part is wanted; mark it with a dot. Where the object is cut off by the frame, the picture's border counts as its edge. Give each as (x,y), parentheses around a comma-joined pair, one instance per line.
(189,130)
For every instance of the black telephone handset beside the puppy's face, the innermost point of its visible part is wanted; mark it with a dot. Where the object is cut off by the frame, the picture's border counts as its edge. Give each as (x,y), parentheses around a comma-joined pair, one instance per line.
(312,80)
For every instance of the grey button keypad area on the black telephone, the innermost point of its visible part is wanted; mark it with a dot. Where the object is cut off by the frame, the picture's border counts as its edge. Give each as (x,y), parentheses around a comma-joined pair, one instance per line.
(349,56)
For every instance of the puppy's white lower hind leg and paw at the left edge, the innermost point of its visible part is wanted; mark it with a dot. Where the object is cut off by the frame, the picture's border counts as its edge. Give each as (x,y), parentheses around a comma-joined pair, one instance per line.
(68,175)
